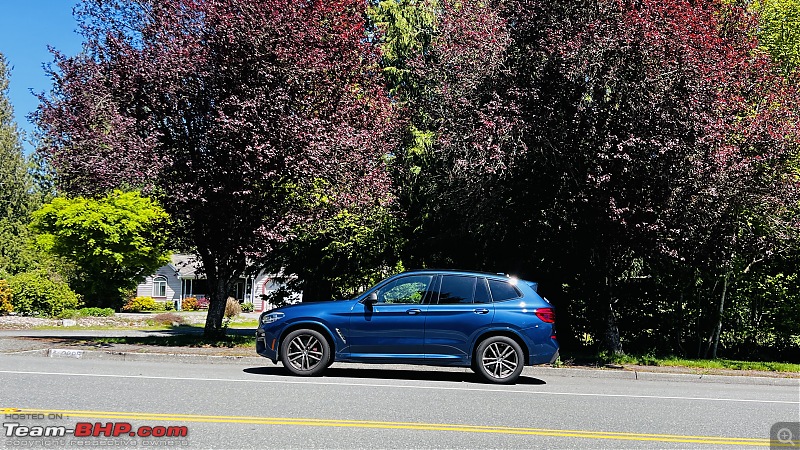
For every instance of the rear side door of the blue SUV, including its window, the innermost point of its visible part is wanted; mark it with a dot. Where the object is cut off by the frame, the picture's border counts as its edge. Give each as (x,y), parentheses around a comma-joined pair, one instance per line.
(460,310)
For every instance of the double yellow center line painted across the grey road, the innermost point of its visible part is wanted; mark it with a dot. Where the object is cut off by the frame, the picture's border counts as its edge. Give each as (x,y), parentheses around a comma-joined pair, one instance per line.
(292,421)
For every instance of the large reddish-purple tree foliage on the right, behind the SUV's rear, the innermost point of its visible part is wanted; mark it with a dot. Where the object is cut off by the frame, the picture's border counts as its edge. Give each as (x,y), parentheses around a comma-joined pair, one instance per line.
(595,145)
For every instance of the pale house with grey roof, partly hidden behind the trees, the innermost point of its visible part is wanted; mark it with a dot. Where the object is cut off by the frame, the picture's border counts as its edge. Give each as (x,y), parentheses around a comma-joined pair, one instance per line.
(182,278)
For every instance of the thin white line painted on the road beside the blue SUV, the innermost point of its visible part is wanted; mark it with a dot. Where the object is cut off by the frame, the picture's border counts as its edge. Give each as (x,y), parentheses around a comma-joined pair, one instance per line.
(417,387)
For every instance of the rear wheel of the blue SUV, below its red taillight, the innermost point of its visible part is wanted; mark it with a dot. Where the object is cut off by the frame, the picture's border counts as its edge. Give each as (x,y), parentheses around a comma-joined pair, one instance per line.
(499,359)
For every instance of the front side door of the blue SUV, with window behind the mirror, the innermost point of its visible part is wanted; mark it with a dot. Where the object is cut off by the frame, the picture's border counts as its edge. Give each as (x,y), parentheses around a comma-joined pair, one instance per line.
(393,329)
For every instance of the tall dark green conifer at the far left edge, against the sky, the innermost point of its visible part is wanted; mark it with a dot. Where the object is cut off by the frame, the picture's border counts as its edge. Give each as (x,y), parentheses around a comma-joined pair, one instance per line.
(16,188)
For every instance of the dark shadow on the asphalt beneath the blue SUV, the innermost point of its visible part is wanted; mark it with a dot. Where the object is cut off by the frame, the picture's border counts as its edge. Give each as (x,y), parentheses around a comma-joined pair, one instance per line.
(394,374)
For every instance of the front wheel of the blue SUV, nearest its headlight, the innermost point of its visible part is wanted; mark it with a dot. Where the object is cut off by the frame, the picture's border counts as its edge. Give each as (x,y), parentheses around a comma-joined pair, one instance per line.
(305,353)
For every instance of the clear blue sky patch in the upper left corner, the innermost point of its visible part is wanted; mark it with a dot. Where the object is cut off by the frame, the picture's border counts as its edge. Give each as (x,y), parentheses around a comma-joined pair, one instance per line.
(27,27)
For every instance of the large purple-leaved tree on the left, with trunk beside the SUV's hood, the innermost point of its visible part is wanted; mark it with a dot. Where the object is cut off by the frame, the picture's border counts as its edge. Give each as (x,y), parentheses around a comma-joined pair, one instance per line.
(231,110)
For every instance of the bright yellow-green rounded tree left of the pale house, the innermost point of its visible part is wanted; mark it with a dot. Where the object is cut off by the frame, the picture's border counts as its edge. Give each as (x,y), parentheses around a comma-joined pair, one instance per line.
(114,241)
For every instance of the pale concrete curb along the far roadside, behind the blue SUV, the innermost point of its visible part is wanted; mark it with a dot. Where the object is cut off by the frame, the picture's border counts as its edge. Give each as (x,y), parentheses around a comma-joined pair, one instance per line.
(537,371)
